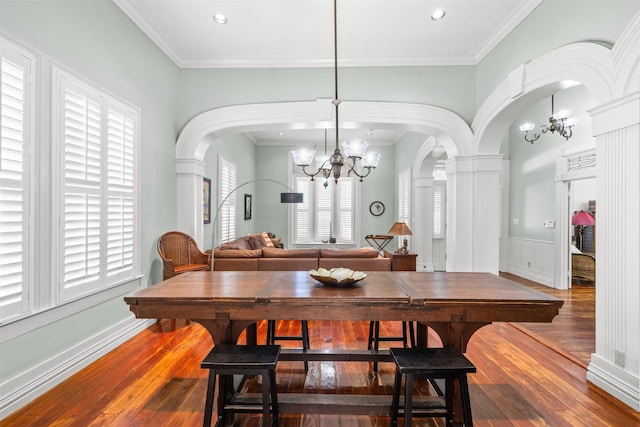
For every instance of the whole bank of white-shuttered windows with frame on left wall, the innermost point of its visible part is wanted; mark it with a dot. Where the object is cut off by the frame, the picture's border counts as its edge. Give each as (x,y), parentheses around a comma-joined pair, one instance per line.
(71,192)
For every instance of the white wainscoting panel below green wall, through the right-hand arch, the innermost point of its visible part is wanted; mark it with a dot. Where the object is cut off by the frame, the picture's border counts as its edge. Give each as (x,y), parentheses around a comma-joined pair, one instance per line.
(532,259)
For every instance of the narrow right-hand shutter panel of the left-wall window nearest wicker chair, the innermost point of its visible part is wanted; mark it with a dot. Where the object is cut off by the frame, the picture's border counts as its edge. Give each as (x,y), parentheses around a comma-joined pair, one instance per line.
(120,182)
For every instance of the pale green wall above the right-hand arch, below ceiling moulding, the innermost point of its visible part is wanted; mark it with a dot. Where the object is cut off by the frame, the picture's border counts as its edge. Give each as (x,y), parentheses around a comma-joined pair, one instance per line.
(553,24)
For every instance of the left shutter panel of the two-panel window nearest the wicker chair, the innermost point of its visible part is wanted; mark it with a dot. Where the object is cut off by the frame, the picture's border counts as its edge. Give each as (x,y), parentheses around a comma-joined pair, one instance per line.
(82,210)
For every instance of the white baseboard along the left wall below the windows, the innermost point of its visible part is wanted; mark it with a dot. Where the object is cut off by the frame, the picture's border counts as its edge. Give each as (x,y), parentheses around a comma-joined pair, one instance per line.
(28,385)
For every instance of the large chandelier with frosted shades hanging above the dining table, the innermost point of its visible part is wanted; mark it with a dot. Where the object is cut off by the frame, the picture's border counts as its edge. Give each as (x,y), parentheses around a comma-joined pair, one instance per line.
(354,150)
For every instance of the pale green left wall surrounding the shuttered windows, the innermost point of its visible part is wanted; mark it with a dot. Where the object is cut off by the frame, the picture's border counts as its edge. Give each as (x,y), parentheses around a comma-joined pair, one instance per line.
(97,41)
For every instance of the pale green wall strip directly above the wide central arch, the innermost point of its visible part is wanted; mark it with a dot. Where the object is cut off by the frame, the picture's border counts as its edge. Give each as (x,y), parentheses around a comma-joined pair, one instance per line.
(448,87)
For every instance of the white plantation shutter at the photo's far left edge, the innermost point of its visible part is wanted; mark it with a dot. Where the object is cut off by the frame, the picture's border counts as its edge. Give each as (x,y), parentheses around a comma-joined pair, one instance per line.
(15,107)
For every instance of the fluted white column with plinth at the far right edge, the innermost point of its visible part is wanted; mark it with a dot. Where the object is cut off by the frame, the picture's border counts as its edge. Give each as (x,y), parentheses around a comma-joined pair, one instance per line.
(615,365)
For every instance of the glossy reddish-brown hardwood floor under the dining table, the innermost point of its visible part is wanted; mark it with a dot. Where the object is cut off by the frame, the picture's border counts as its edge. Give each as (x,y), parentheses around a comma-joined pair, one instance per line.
(155,379)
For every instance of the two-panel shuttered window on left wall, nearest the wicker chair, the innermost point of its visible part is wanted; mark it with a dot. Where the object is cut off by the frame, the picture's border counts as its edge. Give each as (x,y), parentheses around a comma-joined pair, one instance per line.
(97,137)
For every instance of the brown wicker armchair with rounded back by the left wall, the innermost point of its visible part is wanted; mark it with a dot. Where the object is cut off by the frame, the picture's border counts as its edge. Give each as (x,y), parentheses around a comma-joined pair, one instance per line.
(180,253)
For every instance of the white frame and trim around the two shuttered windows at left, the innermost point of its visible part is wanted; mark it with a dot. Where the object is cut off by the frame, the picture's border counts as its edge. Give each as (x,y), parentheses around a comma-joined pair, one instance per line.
(41,282)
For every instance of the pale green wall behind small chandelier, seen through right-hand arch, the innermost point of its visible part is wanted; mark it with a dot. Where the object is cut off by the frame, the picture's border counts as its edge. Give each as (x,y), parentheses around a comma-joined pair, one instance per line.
(532,180)
